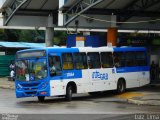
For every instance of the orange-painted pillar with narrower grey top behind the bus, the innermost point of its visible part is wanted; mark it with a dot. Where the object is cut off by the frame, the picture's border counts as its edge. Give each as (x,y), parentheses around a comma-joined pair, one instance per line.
(112,32)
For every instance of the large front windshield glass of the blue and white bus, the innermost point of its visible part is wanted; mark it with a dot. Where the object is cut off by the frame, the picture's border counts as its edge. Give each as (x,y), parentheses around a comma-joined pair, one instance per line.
(30,70)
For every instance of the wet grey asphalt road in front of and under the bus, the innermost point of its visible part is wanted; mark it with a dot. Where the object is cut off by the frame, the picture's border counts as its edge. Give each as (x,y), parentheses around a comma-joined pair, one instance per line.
(82,107)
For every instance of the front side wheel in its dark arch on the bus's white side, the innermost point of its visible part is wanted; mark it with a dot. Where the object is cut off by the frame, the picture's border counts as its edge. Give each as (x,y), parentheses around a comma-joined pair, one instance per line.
(70,89)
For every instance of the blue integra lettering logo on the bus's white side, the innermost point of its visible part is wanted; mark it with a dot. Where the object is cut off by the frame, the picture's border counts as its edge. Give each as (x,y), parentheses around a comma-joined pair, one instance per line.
(101,76)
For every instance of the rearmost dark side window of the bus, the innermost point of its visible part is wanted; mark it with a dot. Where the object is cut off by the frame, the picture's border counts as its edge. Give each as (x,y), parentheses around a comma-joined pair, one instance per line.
(141,58)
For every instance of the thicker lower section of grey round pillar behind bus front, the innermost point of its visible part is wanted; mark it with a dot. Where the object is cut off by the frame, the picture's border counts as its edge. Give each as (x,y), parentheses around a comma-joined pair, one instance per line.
(49,36)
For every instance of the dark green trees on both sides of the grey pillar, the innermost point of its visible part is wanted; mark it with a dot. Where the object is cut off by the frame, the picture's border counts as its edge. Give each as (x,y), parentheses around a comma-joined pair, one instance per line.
(13,35)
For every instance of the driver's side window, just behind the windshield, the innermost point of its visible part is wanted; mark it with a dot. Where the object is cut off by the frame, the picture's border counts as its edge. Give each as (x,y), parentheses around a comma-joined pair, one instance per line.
(55,66)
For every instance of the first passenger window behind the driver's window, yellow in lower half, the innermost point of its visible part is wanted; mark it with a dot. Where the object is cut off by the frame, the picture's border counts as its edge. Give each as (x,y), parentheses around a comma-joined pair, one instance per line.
(67,61)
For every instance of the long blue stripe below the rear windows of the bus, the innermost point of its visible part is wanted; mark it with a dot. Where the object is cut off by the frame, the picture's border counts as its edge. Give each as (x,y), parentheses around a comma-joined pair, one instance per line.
(132,69)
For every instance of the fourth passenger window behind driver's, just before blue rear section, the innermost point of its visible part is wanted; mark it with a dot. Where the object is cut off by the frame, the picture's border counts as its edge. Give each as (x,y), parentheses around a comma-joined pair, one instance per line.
(107,59)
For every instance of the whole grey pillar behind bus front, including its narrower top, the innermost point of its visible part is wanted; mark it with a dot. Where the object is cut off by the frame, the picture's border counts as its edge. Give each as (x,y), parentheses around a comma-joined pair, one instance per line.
(49,35)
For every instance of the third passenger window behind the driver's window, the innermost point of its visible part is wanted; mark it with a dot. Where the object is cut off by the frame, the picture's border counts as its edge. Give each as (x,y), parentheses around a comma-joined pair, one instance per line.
(93,60)
